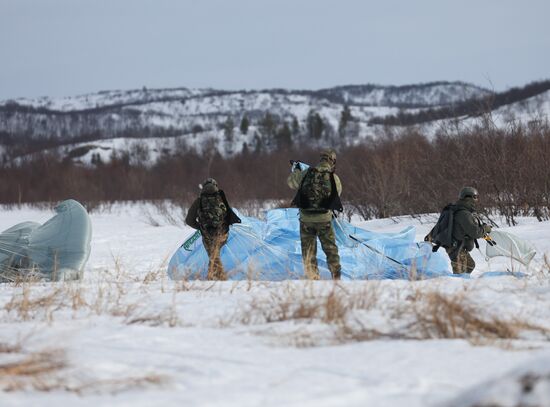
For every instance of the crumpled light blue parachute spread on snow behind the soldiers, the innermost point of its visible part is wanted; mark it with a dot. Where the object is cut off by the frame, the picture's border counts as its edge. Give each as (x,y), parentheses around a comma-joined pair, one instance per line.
(270,250)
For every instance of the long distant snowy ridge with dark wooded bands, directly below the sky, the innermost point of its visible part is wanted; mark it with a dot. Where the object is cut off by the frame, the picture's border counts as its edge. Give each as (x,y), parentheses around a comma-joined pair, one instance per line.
(179,111)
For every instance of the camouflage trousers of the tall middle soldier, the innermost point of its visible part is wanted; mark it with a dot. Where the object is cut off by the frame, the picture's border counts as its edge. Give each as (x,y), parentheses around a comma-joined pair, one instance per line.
(309,231)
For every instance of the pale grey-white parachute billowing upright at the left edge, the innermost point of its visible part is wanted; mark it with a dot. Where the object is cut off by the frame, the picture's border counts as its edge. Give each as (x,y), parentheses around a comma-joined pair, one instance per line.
(56,250)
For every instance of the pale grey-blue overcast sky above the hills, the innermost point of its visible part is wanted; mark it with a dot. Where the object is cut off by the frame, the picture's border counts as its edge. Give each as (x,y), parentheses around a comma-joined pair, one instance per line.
(67,47)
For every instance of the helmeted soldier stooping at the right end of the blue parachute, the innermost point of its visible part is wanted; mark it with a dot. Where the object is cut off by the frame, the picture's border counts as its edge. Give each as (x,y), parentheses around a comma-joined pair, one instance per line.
(467,227)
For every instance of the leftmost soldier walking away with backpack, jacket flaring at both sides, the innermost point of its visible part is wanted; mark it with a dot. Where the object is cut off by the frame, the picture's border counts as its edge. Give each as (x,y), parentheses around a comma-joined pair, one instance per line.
(211,214)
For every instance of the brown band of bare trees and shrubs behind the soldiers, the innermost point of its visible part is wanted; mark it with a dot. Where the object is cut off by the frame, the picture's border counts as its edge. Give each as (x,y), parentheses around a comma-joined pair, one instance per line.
(400,172)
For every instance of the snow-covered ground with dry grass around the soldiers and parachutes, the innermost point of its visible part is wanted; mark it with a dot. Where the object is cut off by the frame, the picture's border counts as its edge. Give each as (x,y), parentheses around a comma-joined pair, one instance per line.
(126,335)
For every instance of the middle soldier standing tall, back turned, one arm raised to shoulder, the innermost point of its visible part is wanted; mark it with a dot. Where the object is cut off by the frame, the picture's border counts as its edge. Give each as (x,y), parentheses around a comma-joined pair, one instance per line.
(318,194)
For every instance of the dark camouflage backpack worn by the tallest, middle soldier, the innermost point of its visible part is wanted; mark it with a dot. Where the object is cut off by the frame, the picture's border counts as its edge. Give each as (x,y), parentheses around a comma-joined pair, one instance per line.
(317,192)
